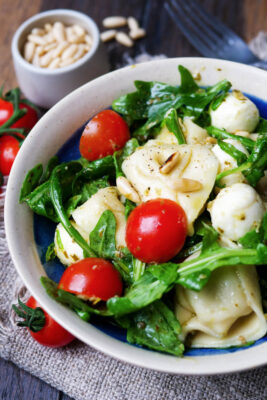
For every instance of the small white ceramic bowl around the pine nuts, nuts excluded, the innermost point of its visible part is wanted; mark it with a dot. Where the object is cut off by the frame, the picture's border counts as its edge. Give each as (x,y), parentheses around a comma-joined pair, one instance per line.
(46,87)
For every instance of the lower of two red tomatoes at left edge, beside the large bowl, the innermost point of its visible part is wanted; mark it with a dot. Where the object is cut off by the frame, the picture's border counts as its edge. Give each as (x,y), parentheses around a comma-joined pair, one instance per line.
(9,148)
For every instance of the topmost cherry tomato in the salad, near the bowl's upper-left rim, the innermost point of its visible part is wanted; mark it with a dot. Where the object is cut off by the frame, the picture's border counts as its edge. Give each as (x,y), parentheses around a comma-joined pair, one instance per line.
(103,135)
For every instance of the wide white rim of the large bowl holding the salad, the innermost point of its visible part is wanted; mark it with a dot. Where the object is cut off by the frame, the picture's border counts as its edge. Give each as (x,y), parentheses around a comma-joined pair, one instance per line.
(44,141)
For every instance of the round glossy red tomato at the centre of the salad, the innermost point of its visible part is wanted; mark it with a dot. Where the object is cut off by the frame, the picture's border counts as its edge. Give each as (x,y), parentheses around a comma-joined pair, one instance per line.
(156,230)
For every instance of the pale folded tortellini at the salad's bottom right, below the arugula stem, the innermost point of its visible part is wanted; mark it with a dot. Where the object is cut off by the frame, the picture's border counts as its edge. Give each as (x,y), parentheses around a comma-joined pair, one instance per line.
(226,312)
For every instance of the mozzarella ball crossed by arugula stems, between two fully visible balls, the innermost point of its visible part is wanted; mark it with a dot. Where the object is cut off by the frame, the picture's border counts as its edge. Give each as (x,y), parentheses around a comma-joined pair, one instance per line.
(227,162)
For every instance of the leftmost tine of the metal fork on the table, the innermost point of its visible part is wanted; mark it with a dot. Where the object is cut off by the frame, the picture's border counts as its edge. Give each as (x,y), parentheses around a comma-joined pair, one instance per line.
(188,29)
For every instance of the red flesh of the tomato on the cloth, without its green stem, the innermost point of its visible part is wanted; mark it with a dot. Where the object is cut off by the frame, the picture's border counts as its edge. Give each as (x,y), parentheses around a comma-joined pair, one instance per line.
(52,334)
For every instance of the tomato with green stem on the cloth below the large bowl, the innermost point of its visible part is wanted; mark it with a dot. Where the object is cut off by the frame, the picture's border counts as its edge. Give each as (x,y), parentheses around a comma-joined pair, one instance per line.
(43,328)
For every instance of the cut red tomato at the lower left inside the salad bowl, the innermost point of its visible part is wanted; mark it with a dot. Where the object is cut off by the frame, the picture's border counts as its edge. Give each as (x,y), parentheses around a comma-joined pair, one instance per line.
(92,278)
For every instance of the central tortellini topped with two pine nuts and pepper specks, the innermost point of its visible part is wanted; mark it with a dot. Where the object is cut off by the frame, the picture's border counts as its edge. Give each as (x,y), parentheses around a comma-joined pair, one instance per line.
(197,162)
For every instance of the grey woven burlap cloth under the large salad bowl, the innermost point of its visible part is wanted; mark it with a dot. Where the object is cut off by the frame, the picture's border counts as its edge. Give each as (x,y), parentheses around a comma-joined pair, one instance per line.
(86,374)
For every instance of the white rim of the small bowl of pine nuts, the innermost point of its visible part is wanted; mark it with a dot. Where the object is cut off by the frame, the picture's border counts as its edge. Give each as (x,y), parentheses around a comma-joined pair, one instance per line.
(58,12)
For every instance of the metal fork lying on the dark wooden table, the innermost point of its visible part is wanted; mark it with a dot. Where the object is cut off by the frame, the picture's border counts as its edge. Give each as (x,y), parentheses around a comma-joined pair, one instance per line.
(209,35)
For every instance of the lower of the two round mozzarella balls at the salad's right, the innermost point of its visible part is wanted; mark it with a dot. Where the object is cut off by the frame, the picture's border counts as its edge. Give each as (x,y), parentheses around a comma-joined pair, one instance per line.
(236,210)
